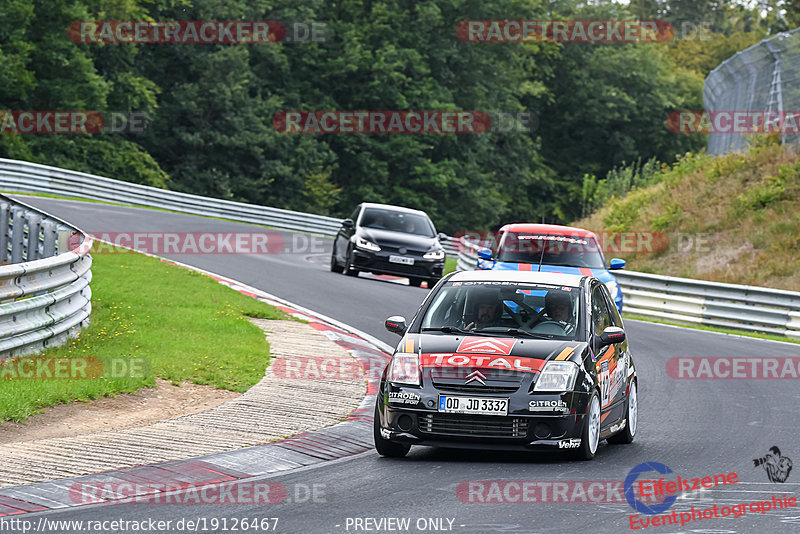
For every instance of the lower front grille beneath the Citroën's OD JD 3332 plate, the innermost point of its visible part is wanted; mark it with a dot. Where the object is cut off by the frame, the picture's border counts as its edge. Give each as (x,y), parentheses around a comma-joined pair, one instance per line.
(473,426)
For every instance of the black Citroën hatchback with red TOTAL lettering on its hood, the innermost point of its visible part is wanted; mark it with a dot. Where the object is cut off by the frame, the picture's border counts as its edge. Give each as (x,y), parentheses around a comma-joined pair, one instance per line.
(509,360)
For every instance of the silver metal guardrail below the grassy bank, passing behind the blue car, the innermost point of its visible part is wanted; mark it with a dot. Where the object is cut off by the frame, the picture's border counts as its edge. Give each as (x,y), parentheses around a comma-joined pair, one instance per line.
(696,301)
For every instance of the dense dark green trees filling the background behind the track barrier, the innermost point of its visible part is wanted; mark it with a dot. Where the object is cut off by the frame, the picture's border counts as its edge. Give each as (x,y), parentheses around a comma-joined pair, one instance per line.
(211,106)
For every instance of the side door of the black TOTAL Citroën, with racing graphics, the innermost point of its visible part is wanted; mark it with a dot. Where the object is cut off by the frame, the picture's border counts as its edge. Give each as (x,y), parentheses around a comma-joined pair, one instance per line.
(611,369)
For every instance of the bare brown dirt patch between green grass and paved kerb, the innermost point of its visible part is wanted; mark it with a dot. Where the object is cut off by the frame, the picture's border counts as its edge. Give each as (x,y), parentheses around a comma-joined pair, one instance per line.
(147,406)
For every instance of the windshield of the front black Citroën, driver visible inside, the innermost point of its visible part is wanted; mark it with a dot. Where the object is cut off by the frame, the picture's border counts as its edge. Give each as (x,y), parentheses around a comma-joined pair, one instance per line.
(508,308)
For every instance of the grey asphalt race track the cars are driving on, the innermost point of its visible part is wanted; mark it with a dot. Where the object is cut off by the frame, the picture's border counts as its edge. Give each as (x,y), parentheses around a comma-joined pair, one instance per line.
(696,427)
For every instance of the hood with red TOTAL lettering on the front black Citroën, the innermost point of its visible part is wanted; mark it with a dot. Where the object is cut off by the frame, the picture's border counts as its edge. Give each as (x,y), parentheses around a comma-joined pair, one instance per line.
(490,352)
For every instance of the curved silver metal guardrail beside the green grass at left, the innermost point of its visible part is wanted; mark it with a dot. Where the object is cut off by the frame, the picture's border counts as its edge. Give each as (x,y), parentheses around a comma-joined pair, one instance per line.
(44,283)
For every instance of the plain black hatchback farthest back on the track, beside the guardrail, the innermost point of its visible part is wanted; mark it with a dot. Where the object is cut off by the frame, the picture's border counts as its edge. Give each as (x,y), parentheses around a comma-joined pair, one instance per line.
(385,239)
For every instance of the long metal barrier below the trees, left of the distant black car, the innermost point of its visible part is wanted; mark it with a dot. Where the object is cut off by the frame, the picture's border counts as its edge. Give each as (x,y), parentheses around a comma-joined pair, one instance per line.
(25,177)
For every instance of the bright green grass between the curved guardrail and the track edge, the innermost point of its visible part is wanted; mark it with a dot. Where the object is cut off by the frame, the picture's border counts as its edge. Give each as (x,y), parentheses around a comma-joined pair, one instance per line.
(185,325)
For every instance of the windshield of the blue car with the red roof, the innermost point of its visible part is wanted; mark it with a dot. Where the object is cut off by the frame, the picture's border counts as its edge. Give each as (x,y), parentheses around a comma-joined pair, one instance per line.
(562,250)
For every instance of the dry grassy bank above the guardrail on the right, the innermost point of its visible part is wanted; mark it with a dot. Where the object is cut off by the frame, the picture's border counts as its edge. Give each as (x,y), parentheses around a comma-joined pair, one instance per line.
(734,218)
